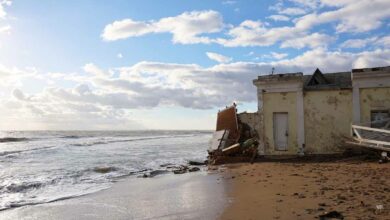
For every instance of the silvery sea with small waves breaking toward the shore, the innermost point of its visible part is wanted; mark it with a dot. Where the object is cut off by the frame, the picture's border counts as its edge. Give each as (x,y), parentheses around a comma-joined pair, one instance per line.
(45,166)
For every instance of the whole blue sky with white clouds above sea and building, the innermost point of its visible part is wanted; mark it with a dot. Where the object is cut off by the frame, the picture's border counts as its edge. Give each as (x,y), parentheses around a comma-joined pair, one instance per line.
(153,64)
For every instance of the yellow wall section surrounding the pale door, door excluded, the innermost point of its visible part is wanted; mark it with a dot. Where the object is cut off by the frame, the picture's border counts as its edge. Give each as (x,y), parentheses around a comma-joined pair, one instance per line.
(280,102)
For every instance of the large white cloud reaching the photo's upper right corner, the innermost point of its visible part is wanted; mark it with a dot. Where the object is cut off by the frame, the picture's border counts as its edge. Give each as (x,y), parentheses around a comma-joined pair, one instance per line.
(347,15)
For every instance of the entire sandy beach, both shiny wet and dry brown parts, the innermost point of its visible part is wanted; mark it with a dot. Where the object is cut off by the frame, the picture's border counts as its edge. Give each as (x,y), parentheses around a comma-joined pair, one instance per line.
(263,190)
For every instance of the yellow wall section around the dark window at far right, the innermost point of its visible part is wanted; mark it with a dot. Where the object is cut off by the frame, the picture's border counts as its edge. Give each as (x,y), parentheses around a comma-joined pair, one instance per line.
(373,99)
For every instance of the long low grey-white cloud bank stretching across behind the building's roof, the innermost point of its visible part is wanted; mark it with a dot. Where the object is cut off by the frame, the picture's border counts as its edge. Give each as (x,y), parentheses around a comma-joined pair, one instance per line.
(106,99)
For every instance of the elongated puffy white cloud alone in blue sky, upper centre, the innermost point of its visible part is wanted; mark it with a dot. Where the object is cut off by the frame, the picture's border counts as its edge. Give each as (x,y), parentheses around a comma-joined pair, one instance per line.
(186,28)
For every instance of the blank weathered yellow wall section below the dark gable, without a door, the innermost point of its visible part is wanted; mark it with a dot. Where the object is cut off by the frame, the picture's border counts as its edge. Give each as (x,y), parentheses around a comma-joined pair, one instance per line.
(328,116)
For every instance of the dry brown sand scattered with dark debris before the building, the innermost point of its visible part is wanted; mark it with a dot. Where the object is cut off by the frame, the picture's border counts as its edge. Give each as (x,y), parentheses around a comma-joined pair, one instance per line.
(272,190)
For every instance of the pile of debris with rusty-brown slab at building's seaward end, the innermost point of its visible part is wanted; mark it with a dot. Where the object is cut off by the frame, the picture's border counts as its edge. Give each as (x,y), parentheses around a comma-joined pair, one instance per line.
(233,140)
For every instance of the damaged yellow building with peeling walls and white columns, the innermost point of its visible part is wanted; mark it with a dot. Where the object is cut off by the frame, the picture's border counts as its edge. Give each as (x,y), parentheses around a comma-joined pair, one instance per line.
(311,114)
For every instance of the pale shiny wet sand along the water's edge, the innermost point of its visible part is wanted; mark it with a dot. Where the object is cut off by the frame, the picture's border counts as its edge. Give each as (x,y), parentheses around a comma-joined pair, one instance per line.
(187,196)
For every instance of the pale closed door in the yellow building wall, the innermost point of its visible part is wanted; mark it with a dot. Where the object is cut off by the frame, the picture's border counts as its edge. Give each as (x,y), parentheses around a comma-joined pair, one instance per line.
(281,131)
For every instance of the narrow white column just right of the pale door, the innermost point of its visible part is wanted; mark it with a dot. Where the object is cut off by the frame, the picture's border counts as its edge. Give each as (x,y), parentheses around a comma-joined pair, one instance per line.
(300,122)
